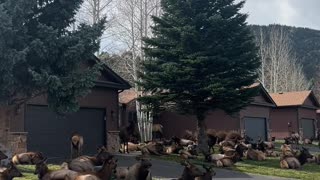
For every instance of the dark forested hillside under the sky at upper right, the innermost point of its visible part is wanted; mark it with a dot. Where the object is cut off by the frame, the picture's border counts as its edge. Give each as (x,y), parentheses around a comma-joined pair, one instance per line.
(305,44)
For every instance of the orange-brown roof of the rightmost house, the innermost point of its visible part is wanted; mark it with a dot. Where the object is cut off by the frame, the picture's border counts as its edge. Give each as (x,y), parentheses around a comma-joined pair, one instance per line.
(297,98)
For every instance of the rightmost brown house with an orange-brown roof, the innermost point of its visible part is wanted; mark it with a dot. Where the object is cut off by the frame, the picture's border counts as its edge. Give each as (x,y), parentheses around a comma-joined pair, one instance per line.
(295,112)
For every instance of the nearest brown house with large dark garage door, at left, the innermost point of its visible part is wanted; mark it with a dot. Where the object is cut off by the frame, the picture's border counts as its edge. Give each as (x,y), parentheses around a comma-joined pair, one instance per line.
(33,127)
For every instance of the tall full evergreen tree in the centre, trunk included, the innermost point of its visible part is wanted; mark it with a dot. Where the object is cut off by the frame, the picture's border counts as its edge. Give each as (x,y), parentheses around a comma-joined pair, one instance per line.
(201,58)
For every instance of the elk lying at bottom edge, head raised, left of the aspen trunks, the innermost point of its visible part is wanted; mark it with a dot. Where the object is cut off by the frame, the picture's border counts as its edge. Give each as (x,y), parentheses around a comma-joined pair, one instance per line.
(105,173)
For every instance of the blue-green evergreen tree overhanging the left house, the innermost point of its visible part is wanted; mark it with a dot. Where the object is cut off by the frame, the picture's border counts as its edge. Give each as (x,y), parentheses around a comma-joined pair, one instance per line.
(40,55)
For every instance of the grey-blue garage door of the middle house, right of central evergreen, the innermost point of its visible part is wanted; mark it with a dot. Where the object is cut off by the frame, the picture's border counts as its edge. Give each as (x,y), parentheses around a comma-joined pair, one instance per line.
(255,128)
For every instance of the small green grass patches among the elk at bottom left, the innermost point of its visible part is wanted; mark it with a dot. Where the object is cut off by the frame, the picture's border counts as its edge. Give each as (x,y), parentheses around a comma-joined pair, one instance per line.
(27,171)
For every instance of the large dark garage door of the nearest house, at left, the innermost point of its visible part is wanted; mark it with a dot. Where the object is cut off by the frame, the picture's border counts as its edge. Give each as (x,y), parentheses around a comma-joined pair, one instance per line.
(50,133)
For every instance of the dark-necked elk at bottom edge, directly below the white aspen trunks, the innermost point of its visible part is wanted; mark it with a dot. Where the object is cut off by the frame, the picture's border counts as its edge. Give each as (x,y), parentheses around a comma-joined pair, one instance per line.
(140,170)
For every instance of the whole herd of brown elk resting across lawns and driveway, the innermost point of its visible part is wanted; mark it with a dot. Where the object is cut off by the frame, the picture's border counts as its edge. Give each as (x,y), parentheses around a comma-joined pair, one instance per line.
(225,149)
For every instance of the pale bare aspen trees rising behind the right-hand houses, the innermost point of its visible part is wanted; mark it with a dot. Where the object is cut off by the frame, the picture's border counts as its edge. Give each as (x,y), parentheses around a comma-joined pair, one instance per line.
(280,70)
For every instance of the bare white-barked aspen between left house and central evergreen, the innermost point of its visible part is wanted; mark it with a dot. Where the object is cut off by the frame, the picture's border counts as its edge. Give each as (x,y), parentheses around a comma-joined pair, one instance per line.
(132,25)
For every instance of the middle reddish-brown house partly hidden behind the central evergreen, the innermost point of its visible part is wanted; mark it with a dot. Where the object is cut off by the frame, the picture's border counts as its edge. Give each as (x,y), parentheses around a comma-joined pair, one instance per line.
(252,120)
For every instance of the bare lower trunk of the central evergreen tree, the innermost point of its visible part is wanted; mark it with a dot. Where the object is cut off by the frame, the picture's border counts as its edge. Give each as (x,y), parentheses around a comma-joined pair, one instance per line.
(202,136)
